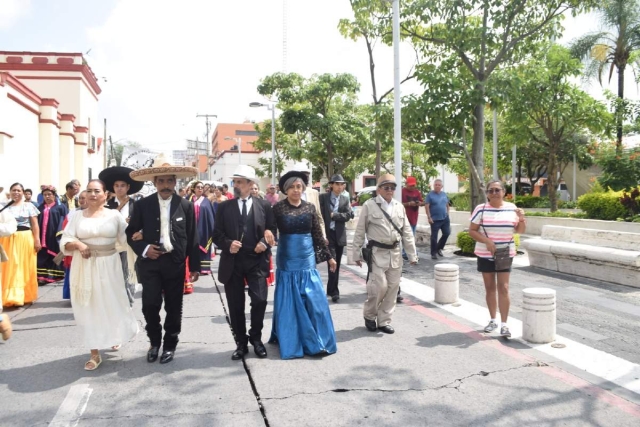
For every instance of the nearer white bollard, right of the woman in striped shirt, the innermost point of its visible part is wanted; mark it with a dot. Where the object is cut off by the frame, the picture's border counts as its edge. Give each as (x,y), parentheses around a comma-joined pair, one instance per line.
(539,315)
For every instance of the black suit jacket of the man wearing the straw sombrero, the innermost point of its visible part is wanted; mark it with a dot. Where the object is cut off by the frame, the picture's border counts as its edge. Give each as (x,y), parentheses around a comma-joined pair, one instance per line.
(183,229)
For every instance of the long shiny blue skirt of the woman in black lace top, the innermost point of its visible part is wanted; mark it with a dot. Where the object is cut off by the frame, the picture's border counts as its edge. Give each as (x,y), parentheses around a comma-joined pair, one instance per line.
(301,318)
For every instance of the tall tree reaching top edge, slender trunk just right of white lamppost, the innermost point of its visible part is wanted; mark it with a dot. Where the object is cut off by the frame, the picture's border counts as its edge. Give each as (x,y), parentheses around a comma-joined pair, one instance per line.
(484,35)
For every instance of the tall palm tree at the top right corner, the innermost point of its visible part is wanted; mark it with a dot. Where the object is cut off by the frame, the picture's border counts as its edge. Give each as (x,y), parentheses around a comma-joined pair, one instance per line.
(613,50)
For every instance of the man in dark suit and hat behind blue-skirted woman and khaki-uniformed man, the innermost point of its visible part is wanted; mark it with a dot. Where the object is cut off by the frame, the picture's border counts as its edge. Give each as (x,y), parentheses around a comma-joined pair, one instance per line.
(336,211)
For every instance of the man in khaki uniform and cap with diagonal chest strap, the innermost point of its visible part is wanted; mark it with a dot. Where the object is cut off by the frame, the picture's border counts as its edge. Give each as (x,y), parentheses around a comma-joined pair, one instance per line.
(384,279)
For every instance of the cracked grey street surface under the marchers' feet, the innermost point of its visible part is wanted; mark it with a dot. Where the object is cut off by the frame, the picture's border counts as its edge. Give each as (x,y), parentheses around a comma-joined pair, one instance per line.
(437,369)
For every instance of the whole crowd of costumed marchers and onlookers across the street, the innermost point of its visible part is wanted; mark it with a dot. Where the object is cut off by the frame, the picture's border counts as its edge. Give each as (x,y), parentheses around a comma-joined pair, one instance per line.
(102,243)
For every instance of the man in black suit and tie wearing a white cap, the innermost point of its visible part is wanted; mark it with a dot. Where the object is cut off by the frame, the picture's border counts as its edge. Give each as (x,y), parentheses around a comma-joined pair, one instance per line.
(243,231)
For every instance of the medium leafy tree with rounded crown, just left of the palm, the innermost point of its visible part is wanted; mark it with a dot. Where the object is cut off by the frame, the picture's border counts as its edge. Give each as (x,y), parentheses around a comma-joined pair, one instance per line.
(548,110)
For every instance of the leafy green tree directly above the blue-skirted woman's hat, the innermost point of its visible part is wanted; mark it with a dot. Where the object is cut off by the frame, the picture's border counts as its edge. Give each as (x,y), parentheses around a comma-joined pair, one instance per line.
(324,107)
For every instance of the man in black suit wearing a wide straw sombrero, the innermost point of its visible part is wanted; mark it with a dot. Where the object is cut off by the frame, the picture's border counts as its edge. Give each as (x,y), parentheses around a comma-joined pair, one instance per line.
(169,235)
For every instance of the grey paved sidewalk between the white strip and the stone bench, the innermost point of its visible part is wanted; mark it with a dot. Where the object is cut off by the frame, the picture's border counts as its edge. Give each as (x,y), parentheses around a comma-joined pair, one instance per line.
(601,315)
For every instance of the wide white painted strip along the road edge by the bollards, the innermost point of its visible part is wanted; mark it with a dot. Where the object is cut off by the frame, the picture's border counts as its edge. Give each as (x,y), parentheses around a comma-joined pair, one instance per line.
(609,367)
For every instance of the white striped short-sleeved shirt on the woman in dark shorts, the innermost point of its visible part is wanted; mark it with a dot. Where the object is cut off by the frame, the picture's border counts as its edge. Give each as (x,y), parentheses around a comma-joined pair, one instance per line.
(499,225)
